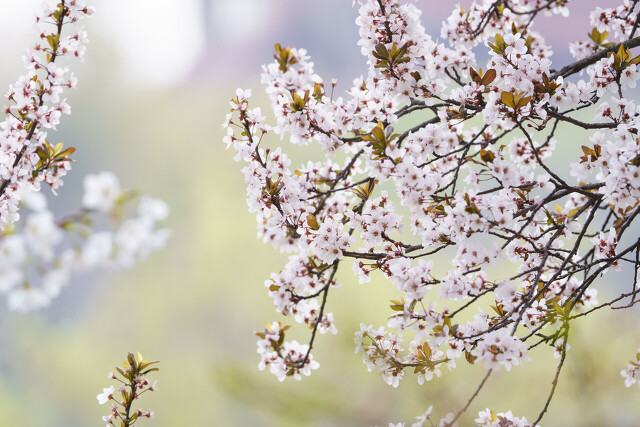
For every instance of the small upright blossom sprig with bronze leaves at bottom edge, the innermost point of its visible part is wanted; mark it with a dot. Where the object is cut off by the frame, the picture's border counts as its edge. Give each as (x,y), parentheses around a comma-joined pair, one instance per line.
(132,376)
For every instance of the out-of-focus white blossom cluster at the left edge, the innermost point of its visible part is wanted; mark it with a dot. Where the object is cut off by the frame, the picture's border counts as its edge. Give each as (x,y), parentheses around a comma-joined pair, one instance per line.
(41,253)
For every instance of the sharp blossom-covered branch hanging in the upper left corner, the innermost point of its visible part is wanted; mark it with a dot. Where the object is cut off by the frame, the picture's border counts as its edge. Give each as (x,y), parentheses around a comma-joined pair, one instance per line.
(36,104)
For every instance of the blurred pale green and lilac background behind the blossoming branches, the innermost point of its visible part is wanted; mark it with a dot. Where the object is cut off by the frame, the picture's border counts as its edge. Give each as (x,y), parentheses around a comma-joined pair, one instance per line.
(152,94)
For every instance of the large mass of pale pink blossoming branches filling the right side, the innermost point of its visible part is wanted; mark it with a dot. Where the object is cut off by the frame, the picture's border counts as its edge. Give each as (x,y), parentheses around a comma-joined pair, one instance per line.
(471,182)
